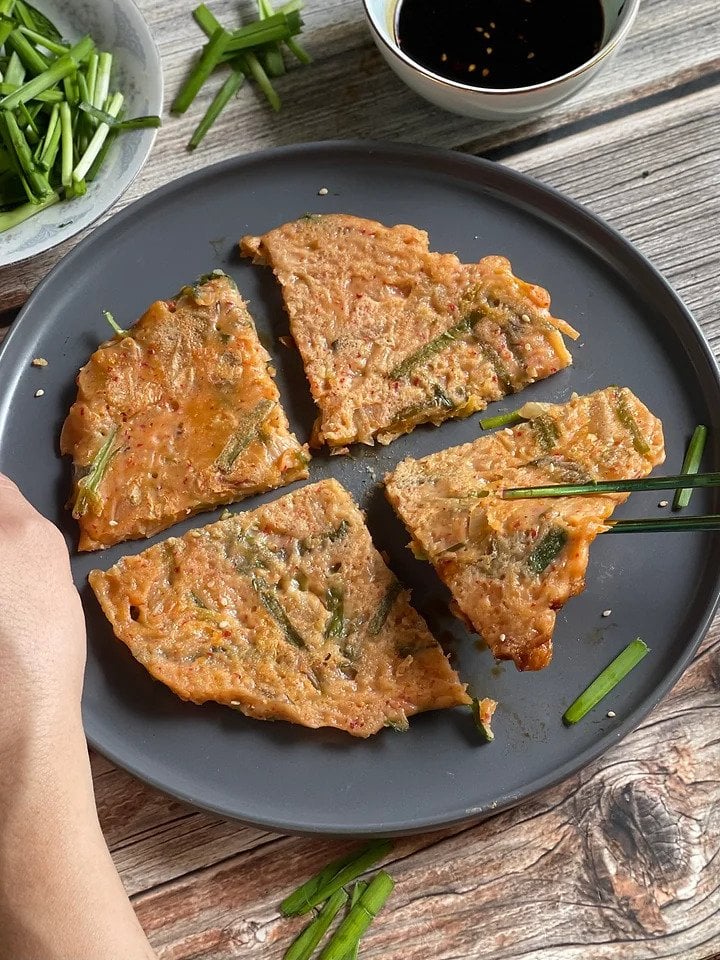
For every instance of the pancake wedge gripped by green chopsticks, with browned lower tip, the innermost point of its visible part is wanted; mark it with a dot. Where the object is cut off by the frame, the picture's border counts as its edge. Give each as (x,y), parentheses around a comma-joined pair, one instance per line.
(511,564)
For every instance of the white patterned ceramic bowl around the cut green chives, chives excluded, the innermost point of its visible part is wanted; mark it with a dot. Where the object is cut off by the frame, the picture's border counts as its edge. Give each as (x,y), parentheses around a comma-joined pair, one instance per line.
(117,26)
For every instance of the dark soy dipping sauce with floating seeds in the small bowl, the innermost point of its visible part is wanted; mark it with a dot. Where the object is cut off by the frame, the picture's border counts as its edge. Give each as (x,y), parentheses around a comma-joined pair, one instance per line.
(500,43)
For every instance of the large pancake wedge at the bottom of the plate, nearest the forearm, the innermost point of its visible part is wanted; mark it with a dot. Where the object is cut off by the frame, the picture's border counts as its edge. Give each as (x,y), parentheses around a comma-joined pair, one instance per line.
(286,612)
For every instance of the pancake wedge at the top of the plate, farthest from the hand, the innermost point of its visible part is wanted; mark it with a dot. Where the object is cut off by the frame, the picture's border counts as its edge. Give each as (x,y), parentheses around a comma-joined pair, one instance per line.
(392,335)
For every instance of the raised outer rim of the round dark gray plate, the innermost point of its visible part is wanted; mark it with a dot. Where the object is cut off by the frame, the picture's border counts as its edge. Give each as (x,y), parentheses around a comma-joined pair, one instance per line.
(582,217)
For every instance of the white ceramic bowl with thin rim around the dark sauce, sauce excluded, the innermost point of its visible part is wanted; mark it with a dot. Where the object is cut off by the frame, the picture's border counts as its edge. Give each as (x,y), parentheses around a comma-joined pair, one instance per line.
(483,102)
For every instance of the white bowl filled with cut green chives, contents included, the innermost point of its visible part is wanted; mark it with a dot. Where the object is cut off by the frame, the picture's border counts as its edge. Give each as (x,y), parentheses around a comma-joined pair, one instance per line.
(80,96)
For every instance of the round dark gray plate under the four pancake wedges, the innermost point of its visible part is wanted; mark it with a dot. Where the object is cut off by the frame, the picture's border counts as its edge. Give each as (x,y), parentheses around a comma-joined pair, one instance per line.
(635,331)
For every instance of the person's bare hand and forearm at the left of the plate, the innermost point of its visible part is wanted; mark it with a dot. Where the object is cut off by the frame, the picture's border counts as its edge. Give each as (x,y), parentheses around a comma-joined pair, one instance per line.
(60,895)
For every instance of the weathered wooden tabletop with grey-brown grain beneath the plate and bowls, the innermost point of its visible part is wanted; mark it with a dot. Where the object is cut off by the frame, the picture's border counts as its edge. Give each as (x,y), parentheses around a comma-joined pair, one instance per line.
(623,860)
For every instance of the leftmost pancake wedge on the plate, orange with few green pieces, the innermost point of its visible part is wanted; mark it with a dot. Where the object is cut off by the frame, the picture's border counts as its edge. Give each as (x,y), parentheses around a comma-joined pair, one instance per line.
(177,416)
